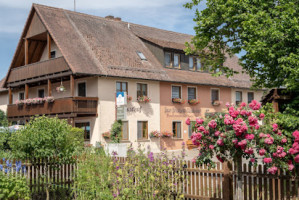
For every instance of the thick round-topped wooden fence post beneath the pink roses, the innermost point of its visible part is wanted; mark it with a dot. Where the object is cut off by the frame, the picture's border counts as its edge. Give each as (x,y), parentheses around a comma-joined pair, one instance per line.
(227,184)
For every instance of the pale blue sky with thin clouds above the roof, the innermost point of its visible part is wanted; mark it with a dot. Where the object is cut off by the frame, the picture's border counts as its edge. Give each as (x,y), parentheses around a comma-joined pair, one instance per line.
(165,14)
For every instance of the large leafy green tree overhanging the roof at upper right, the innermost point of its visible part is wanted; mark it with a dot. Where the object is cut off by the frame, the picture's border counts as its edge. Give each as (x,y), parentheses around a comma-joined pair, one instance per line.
(267,32)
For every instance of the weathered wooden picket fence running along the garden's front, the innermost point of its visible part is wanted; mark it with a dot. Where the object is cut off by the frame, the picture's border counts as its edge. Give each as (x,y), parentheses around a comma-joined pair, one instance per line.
(202,183)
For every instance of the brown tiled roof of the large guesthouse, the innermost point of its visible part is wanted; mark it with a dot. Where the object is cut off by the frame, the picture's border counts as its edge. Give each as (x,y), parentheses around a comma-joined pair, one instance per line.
(99,46)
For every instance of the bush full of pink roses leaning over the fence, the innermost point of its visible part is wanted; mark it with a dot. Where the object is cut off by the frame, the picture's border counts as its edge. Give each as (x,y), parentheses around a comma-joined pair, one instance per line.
(239,134)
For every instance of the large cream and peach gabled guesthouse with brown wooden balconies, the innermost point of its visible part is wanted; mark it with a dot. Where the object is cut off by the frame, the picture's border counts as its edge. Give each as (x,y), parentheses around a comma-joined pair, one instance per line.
(80,61)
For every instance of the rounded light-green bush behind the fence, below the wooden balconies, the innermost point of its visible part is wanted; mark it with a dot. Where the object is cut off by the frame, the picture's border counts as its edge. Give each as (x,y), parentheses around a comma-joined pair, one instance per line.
(45,137)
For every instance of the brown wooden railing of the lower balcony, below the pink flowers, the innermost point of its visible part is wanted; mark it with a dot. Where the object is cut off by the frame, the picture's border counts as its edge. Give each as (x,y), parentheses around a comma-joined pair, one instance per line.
(69,107)
